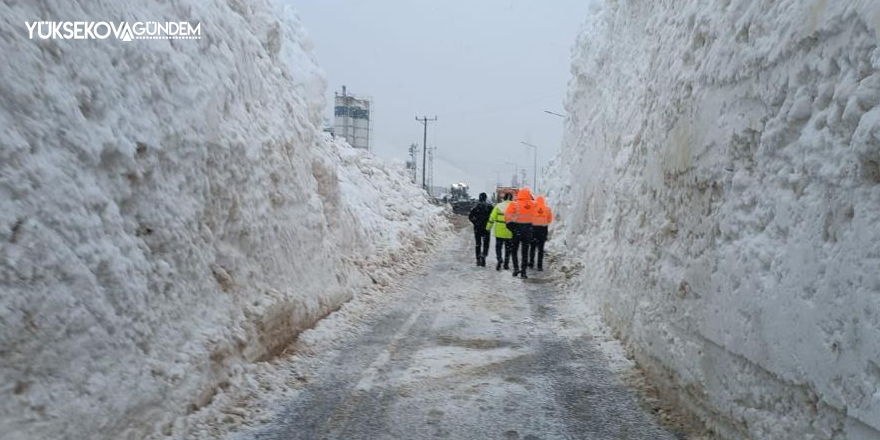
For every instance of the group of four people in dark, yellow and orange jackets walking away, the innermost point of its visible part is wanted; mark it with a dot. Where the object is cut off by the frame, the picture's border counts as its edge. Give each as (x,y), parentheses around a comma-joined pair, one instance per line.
(519,226)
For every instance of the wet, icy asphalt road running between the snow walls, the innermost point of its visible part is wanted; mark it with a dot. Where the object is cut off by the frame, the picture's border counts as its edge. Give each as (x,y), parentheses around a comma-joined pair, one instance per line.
(465,353)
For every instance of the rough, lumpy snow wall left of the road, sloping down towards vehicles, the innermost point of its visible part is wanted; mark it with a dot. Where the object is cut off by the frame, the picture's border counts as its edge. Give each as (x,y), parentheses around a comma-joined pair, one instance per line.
(171,212)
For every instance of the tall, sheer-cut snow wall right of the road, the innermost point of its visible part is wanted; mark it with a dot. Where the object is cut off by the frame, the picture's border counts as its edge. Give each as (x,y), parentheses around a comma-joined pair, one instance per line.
(720,181)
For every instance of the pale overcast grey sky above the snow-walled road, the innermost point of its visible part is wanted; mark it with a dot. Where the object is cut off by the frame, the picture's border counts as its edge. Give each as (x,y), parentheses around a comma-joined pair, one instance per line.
(487,68)
